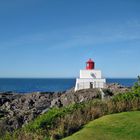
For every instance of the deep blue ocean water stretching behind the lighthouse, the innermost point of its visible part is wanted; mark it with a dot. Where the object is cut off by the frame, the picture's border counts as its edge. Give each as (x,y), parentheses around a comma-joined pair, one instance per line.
(27,85)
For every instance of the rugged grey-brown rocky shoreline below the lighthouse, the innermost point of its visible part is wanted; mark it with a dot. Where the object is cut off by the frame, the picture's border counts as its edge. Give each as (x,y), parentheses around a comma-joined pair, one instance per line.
(16,110)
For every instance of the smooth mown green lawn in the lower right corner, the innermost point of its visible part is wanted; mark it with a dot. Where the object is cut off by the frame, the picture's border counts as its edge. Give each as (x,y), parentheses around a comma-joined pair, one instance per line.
(121,126)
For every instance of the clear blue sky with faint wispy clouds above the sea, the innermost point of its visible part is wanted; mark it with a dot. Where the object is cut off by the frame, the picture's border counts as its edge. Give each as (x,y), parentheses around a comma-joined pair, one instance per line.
(54,38)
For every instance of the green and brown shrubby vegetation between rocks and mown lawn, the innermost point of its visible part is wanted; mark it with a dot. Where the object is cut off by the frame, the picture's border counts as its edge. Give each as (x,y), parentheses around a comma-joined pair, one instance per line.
(58,123)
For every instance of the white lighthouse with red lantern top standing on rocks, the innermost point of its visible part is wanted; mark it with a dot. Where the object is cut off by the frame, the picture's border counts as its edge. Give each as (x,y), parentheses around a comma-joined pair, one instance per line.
(90,77)
